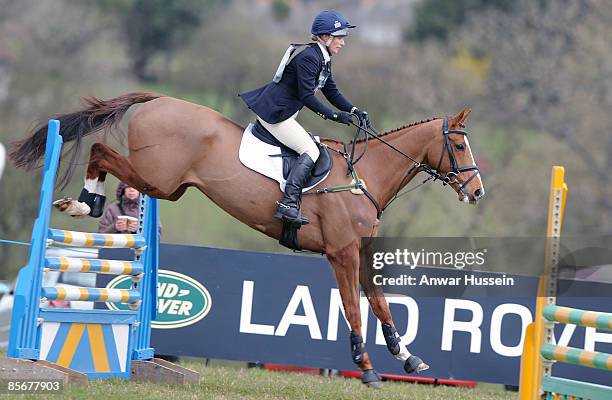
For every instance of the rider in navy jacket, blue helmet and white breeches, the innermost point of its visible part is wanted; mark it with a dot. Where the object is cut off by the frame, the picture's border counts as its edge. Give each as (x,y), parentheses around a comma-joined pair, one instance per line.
(303,70)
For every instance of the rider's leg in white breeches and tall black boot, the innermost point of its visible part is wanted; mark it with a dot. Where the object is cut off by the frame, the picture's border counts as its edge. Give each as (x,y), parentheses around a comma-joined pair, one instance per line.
(291,134)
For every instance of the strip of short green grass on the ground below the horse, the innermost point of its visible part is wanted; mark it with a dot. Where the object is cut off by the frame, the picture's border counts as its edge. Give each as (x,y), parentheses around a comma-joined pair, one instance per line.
(228,382)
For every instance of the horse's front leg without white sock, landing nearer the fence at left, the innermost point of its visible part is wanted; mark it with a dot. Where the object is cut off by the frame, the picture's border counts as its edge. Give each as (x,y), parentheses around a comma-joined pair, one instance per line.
(345,263)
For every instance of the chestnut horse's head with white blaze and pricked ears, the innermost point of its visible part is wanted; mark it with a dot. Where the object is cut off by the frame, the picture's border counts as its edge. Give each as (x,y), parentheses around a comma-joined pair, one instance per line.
(450,154)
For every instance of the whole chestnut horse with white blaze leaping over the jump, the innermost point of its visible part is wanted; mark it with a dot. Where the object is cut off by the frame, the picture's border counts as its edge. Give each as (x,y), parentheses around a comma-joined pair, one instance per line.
(174,144)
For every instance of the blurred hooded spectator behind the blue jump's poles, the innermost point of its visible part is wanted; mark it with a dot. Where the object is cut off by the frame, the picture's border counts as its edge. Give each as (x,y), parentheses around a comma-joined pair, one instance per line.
(122,215)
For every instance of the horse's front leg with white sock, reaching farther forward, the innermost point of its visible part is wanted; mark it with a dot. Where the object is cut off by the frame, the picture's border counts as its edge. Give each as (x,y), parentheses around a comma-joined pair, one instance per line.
(380,308)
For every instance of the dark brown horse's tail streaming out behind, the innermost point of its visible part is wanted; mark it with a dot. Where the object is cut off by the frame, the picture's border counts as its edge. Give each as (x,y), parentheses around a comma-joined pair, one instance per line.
(96,116)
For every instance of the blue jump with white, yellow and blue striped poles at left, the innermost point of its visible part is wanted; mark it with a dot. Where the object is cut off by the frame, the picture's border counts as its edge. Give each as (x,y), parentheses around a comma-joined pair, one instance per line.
(75,344)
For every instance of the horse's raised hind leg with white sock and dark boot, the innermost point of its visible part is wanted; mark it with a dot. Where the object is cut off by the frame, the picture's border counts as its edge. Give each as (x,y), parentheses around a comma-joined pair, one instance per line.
(105,160)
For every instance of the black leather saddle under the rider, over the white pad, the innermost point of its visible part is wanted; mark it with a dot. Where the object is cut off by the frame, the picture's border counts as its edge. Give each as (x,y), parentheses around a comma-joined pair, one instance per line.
(289,156)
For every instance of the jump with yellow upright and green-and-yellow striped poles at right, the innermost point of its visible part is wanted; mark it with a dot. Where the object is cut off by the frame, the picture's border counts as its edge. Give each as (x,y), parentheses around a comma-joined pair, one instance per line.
(540,352)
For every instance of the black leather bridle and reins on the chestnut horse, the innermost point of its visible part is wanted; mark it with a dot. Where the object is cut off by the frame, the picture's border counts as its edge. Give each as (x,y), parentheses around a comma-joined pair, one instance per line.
(449,178)
